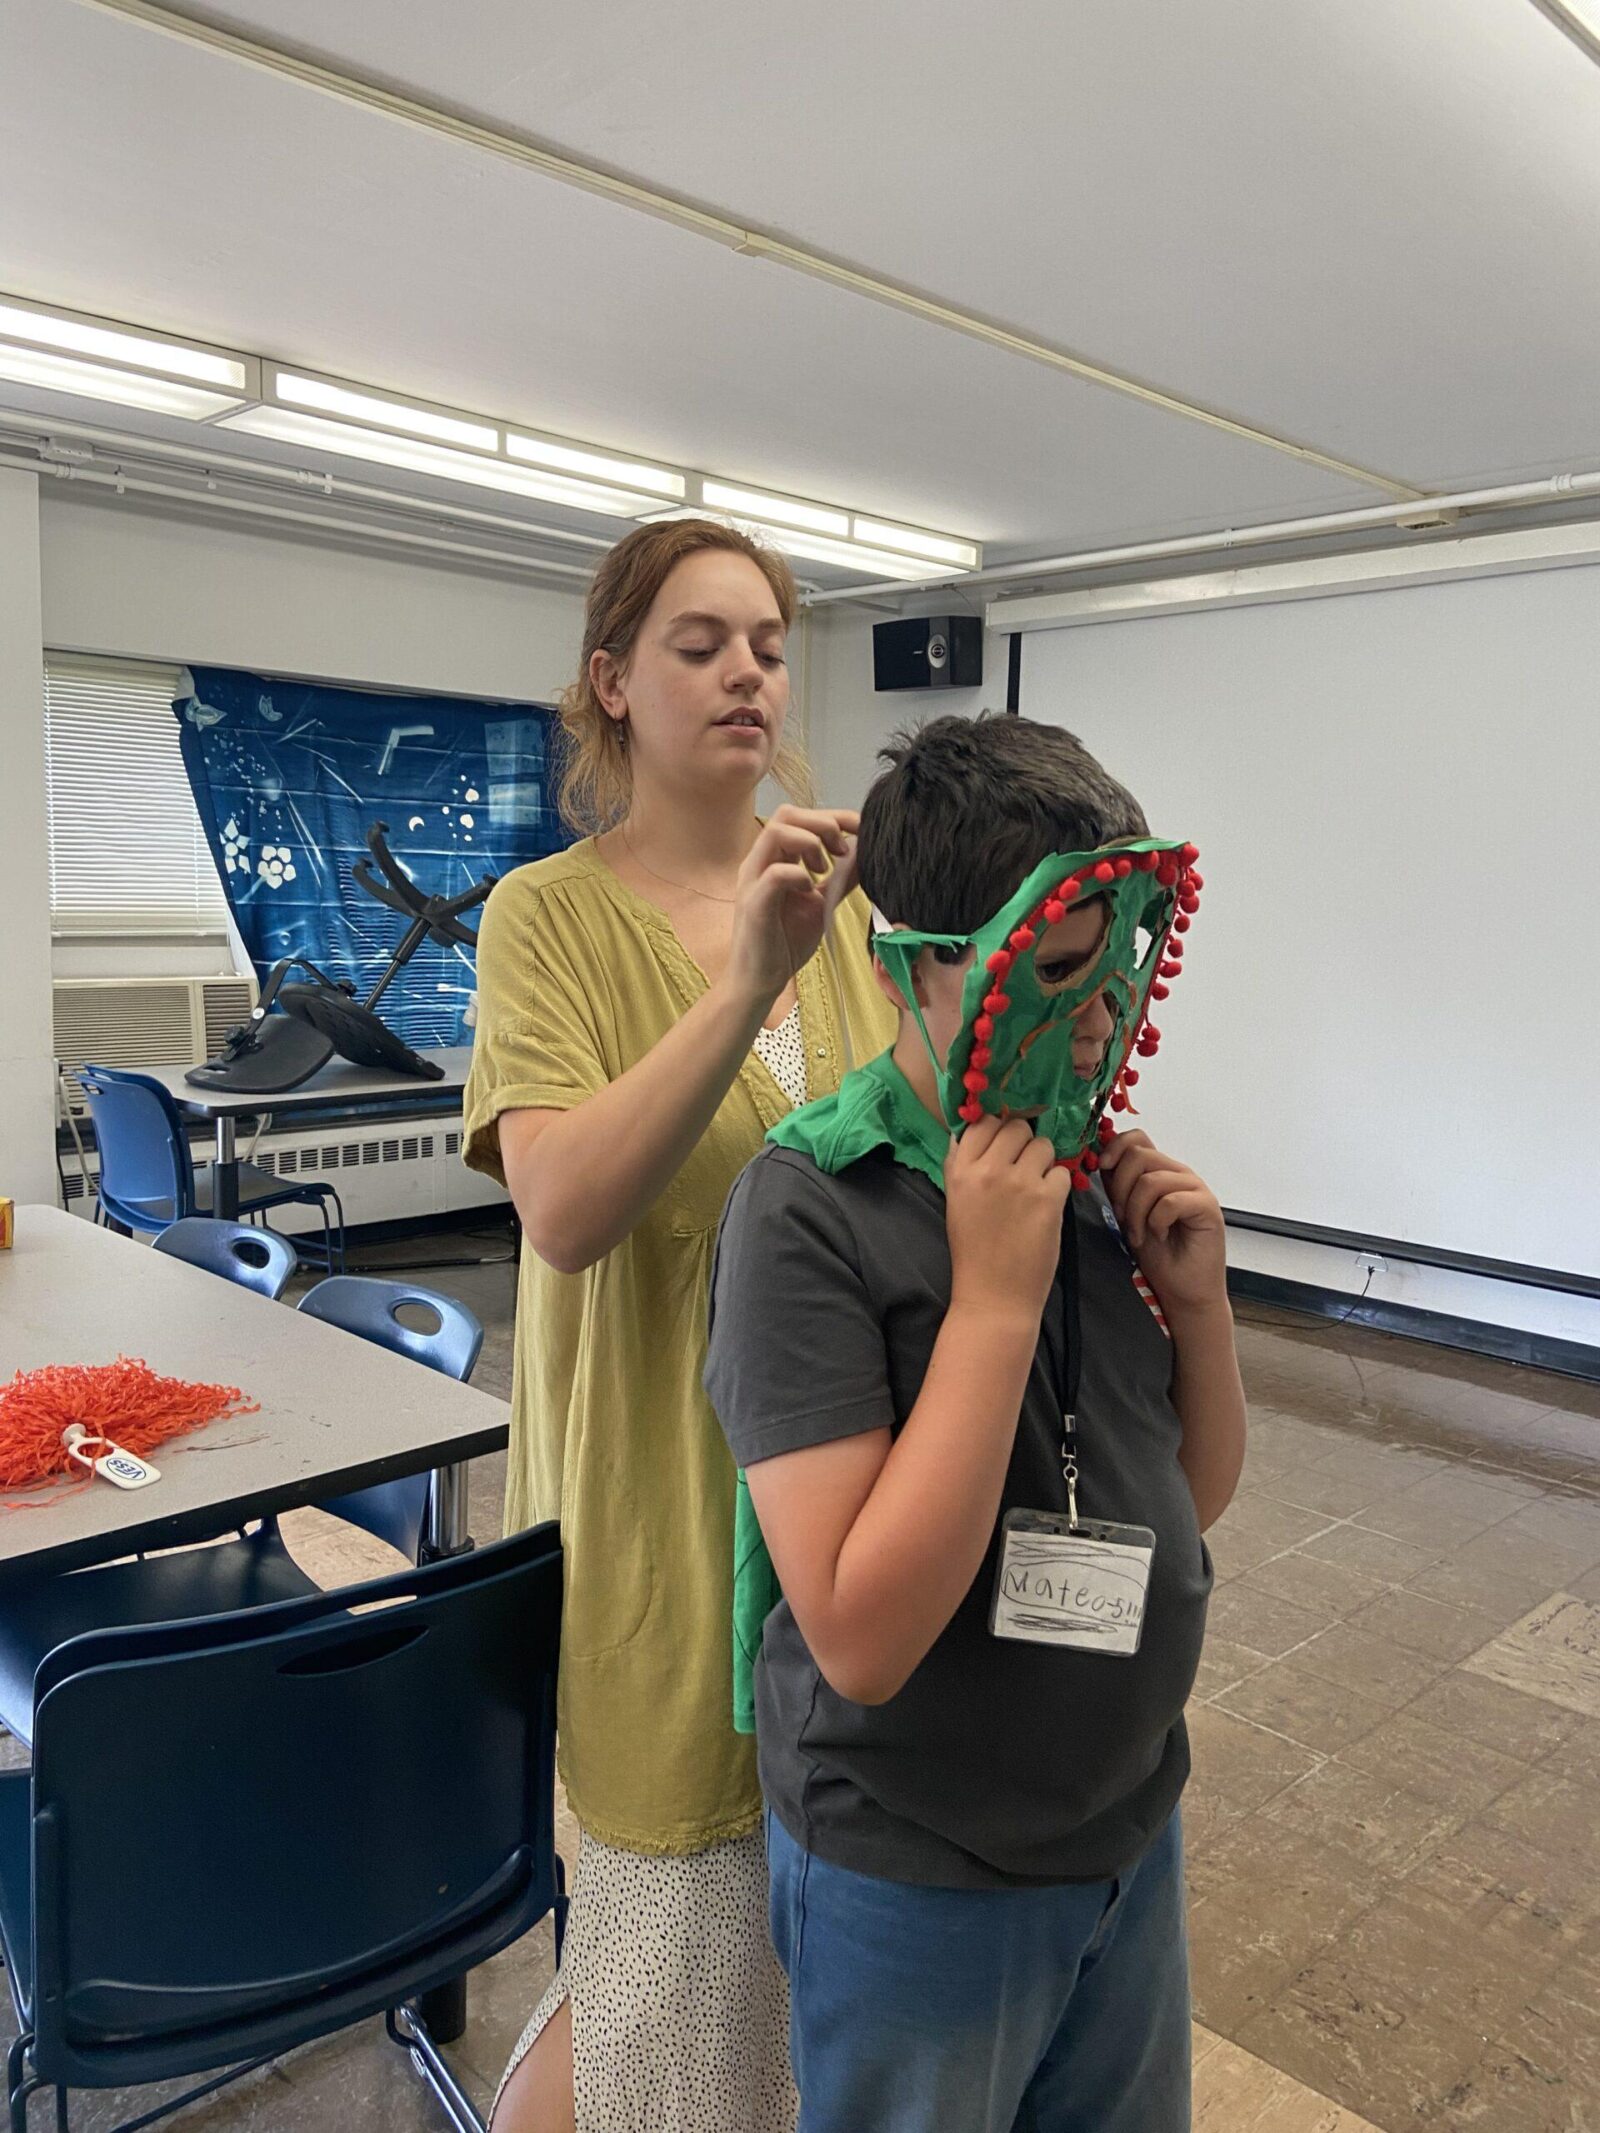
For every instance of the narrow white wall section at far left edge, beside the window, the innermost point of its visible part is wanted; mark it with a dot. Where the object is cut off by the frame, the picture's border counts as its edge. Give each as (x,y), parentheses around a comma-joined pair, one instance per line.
(27,1070)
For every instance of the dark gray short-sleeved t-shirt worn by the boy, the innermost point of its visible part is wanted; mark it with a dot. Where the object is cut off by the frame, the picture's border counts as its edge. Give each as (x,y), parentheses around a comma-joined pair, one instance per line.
(999,1765)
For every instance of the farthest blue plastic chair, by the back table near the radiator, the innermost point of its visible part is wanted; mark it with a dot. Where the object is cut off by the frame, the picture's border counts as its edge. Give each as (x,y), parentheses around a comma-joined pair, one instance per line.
(148,1178)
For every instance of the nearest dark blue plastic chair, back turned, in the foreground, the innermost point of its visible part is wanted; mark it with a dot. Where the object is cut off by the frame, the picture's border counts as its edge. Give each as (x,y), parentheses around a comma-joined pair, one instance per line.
(249,1833)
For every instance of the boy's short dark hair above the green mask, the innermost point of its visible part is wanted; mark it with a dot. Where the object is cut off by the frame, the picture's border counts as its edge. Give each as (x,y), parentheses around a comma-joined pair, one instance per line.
(970,807)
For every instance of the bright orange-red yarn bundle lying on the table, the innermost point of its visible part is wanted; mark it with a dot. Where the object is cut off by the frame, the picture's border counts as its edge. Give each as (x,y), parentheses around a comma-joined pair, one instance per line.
(125,1400)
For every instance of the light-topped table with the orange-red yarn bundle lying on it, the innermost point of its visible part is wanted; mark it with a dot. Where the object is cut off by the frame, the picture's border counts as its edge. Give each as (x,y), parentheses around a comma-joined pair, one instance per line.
(336,1413)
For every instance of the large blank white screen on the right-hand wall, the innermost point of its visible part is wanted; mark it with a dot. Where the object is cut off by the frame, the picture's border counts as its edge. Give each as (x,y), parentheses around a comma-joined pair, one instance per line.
(1390,1019)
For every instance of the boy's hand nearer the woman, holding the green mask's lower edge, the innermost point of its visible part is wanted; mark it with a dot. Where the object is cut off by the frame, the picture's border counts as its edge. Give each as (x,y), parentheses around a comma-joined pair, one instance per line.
(1004,1210)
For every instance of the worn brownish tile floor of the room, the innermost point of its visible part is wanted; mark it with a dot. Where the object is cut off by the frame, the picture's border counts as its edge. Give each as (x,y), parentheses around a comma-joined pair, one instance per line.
(1394,1825)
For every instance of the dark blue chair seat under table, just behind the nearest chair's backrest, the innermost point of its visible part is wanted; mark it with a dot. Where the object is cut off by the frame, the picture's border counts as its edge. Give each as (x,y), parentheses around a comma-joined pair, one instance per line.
(253,1571)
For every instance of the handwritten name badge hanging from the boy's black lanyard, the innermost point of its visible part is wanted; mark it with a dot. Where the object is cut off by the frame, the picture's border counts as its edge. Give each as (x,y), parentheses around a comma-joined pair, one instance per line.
(1081,1586)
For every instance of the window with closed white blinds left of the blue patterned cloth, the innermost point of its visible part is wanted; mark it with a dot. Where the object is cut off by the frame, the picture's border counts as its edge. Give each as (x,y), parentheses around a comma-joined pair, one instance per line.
(127,852)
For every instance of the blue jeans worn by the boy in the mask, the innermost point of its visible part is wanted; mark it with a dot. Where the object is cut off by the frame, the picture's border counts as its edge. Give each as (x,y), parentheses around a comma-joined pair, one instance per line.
(944,2010)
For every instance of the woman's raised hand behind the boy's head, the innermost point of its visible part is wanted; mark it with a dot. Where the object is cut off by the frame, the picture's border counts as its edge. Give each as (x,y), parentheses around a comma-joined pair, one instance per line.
(788,888)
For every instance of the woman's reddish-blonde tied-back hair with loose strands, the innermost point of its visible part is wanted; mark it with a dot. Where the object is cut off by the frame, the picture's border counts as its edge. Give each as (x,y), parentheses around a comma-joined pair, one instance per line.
(596,784)
